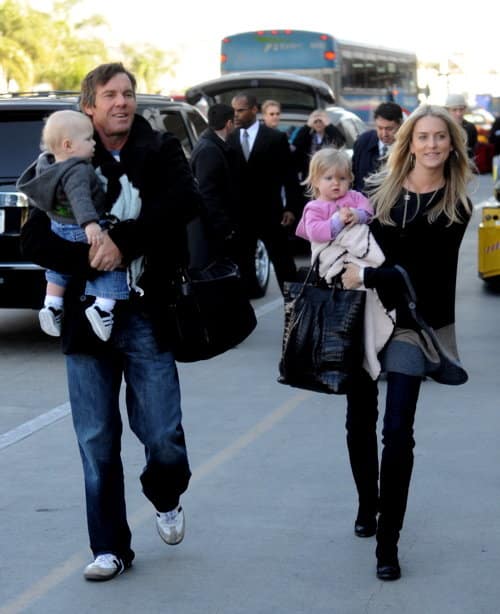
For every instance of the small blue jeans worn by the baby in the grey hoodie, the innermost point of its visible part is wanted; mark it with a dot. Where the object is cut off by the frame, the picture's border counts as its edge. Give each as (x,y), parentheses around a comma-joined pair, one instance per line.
(108,284)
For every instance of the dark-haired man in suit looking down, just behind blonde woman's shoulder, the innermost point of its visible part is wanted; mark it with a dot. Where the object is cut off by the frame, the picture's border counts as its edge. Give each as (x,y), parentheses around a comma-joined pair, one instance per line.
(372,147)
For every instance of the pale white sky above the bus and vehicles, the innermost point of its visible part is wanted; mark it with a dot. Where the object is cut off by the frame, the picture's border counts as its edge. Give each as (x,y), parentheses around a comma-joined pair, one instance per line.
(434,29)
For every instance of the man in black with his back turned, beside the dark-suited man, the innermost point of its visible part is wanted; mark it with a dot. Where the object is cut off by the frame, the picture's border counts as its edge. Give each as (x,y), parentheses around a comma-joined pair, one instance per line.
(212,162)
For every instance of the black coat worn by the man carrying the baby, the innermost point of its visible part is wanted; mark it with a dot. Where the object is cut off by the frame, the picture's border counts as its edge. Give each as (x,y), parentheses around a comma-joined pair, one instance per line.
(157,167)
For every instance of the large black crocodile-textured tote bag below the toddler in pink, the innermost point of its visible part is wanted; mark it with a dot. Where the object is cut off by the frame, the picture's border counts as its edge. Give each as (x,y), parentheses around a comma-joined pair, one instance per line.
(323,335)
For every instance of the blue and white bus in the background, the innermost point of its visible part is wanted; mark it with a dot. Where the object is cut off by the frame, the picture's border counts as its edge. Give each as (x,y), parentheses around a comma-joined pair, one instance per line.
(360,75)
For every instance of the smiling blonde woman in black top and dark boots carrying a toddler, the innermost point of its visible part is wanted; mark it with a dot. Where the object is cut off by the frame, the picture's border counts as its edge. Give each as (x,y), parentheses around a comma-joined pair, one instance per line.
(421,213)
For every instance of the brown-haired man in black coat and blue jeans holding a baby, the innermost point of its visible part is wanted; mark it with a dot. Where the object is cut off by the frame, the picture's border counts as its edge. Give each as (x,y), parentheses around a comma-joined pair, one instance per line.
(132,157)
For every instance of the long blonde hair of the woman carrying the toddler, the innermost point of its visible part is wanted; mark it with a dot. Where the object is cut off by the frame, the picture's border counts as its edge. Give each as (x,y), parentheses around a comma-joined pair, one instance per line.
(384,188)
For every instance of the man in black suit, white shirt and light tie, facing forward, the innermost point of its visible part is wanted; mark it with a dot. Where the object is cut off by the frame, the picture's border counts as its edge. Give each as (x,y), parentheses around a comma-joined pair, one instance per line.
(264,166)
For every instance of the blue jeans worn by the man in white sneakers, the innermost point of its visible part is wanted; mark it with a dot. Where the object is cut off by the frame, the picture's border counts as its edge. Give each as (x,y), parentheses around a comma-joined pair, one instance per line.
(154,415)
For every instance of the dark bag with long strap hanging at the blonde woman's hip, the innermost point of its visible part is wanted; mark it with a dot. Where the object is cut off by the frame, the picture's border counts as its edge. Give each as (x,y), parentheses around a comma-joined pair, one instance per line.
(449,371)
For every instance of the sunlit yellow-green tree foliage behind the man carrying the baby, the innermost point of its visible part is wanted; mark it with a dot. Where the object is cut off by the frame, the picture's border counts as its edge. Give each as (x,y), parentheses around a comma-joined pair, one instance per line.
(38,47)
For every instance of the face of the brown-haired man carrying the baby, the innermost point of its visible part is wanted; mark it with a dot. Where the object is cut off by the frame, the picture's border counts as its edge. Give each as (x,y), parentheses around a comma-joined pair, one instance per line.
(115,106)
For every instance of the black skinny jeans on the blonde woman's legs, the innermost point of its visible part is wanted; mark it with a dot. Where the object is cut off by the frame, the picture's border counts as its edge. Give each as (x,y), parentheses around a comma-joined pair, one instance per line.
(397,453)
